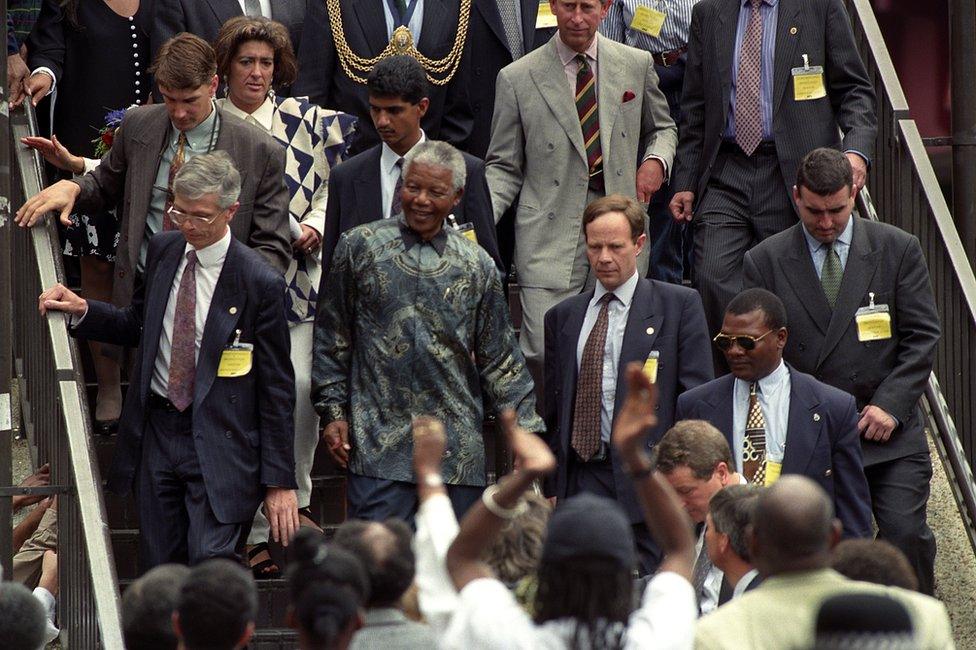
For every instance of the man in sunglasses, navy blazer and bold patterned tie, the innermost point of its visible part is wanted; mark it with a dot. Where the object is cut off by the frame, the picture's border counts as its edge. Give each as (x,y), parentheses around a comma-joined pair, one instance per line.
(779,420)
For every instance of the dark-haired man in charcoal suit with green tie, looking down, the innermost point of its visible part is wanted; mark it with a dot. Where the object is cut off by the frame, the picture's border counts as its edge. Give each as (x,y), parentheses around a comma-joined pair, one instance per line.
(825,270)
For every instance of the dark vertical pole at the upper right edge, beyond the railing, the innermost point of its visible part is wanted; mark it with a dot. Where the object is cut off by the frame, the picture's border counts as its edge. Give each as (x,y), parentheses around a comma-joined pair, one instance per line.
(962,32)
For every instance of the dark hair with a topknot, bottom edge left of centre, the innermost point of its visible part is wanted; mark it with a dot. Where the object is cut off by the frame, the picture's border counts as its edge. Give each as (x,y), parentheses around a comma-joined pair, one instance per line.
(327,588)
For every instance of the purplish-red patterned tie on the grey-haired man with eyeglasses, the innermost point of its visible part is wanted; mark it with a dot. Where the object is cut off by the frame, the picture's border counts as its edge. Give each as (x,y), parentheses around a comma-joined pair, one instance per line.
(182,359)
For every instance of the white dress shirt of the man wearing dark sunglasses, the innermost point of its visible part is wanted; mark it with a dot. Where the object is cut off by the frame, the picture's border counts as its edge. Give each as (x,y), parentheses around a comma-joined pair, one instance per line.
(774,399)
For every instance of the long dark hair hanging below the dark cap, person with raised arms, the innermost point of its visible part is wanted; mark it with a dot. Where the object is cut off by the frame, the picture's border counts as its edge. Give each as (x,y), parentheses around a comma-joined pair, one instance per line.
(595,591)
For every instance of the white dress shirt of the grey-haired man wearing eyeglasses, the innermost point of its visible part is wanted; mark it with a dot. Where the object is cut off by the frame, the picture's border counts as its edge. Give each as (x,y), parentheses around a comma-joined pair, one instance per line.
(210,261)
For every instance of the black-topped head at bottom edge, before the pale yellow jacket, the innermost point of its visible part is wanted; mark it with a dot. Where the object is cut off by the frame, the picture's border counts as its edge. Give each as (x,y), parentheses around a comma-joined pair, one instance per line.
(859,621)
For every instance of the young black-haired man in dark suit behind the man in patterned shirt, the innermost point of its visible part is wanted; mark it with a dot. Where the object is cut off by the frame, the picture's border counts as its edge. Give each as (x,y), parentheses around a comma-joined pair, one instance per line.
(366,187)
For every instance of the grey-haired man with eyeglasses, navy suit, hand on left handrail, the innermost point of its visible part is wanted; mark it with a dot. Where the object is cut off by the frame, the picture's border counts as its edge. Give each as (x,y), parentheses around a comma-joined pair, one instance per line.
(206,431)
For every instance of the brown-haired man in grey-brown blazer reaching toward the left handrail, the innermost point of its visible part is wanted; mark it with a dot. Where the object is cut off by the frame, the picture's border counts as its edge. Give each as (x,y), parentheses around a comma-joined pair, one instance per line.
(136,171)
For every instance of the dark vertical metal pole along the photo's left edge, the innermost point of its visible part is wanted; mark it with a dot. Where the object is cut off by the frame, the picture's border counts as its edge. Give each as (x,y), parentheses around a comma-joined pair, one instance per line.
(6,323)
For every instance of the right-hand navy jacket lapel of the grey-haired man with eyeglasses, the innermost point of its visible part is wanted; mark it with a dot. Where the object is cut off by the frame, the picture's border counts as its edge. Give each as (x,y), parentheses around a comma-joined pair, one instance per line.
(226,307)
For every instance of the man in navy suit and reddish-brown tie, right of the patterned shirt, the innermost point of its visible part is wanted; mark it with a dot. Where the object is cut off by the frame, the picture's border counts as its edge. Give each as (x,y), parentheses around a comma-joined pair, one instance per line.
(590,339)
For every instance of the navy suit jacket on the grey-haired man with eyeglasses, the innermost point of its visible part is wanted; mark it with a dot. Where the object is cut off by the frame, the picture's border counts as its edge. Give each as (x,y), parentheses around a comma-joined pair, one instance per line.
(243,427)
